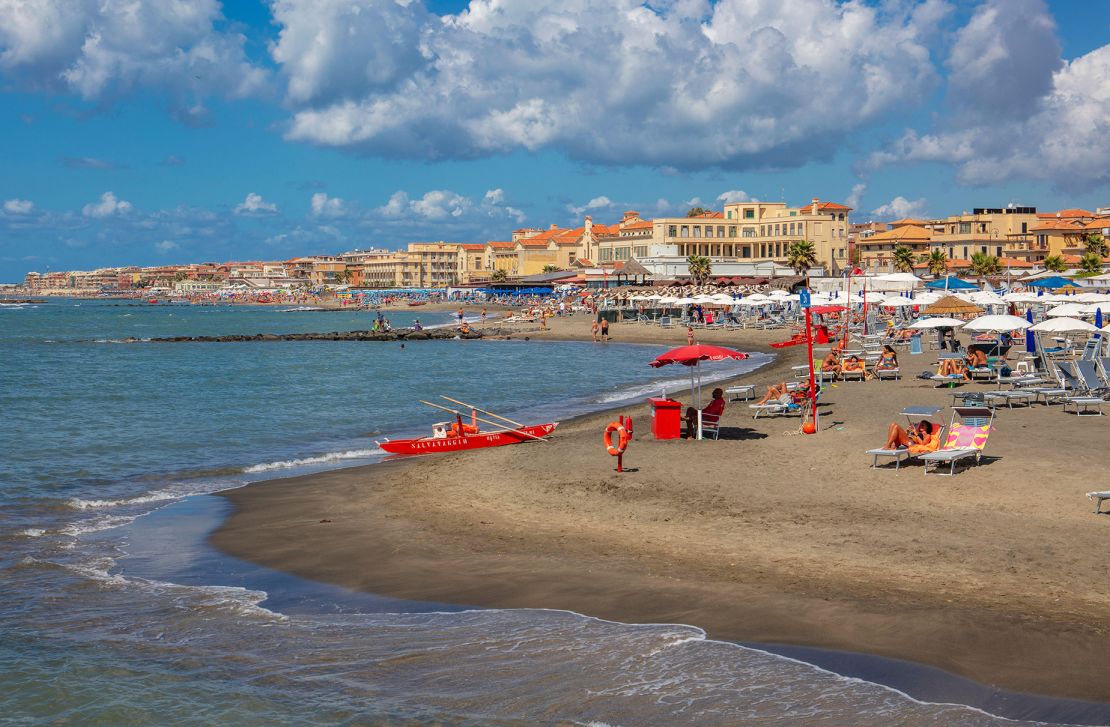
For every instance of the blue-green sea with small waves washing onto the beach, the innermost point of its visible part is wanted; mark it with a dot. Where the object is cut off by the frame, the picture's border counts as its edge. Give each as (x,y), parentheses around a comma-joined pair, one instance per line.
(116,611)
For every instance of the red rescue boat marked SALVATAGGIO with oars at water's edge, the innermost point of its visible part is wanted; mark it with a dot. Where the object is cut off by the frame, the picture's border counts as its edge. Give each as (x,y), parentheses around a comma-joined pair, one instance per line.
(457,437)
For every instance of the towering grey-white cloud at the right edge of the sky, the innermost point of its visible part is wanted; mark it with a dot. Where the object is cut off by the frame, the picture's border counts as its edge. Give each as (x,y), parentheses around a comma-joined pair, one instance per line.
(1022,113)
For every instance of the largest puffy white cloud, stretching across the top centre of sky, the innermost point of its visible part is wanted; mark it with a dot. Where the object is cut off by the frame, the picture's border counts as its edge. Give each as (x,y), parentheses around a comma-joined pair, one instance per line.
(681,85)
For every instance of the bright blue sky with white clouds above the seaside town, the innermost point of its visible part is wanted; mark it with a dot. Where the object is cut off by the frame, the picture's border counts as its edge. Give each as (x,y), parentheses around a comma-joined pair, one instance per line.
(175,132)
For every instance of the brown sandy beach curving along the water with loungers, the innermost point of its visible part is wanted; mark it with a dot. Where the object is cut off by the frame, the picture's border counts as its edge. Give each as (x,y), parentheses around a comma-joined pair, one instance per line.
(766,536)
